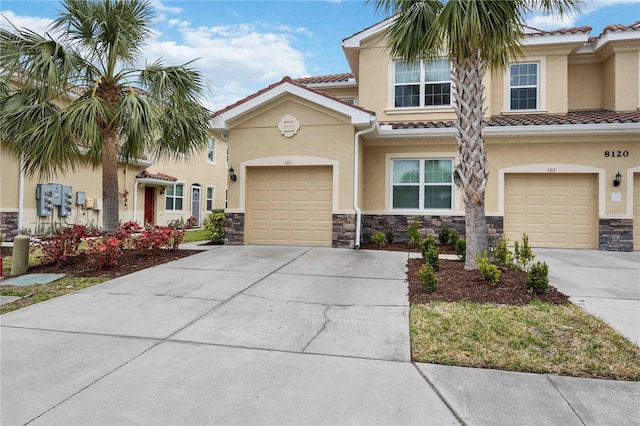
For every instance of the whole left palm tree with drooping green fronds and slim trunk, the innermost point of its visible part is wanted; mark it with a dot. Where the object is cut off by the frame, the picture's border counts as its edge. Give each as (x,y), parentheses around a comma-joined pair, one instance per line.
(120,114)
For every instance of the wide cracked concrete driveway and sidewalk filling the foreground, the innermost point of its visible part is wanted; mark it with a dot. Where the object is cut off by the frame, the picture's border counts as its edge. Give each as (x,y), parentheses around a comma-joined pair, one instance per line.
(264,335)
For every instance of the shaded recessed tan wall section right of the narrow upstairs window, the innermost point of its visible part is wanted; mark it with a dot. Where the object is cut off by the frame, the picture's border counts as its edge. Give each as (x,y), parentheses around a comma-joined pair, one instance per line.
(585,86)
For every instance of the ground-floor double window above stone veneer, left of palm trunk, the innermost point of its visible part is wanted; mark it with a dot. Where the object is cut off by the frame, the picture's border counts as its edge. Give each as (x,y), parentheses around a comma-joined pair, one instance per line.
(422,184)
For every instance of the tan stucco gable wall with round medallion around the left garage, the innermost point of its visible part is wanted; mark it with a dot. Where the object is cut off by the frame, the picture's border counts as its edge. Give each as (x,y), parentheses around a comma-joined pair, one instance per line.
(322,134)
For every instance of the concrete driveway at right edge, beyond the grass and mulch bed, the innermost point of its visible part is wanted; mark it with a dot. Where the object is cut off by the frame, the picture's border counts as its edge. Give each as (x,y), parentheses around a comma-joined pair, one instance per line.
(606,284)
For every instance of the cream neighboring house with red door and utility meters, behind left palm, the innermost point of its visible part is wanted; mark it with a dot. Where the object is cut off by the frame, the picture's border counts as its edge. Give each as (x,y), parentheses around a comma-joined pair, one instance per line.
(150,191)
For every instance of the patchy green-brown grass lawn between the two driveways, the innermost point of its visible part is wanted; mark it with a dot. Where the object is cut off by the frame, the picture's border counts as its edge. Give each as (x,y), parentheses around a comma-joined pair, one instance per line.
(539,338)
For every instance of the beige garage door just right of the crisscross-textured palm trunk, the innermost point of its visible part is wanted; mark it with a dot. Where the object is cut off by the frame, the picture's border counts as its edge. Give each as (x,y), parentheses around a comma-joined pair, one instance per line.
(554,210)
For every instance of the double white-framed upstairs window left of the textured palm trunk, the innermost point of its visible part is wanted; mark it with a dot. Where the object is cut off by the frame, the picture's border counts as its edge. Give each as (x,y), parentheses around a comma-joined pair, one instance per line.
(422,84)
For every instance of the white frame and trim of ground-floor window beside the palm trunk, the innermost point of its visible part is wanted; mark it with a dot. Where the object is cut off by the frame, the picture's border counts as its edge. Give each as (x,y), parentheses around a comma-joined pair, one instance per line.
(455,197)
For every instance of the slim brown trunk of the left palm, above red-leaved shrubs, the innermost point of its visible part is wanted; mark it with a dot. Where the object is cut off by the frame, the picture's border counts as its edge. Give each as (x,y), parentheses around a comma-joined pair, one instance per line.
(110,191)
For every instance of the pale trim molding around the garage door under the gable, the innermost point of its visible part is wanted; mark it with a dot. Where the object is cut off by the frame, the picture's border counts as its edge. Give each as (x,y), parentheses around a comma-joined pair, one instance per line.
(288,161)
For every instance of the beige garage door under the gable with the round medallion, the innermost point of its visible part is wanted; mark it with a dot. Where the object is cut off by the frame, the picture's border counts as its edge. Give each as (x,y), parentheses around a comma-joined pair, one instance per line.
(289,206)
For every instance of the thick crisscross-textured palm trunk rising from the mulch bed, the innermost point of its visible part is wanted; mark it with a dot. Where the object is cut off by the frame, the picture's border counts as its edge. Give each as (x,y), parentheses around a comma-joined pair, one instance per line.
(472,157)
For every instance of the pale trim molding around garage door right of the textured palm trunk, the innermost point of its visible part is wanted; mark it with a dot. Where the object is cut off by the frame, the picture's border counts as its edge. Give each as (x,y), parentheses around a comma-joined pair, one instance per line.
(553,168)
